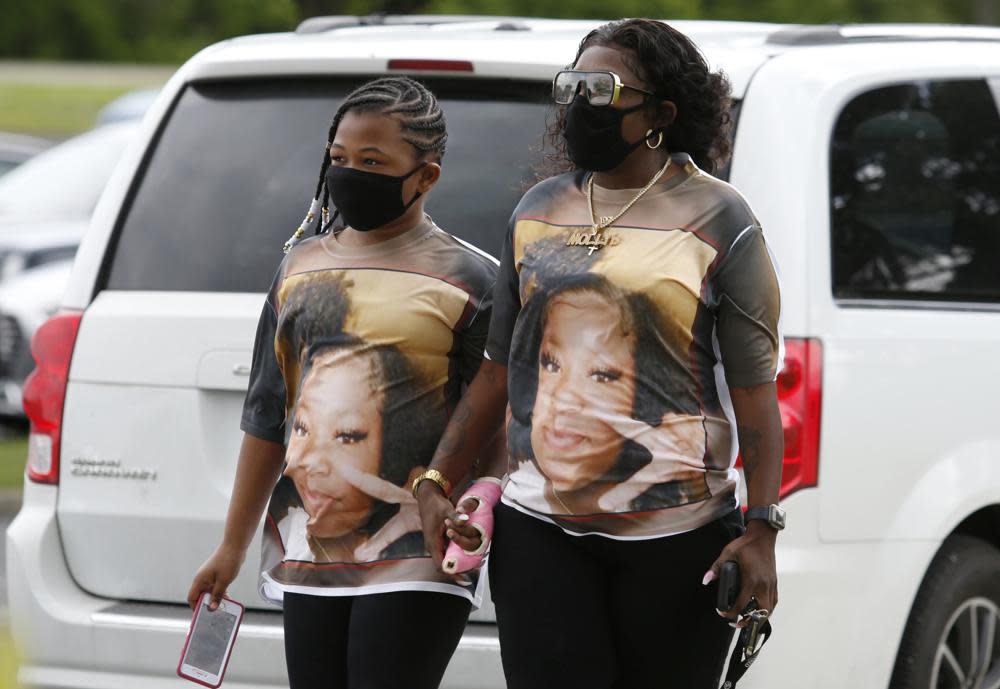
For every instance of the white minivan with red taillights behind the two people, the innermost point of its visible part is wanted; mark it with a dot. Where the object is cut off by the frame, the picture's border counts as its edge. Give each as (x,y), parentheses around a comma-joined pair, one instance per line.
(871,154)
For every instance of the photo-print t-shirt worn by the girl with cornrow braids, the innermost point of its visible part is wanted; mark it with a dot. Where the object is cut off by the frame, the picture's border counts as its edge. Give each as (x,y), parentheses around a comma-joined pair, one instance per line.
(360,356)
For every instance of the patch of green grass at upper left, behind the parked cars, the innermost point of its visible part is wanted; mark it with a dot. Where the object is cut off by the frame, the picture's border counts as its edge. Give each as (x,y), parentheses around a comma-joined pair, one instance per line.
(53,111)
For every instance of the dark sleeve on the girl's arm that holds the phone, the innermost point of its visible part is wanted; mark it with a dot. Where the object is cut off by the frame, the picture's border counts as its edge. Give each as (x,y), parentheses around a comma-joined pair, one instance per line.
(264,406)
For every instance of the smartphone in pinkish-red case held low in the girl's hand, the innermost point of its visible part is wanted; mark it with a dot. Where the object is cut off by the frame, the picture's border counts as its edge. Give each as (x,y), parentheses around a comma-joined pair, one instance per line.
(210,641)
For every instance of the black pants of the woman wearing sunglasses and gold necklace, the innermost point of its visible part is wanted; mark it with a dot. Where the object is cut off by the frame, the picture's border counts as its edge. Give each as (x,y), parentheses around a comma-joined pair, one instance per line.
(588,612)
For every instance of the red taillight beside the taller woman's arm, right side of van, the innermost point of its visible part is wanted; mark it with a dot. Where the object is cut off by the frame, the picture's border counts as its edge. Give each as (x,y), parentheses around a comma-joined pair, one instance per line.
(800,393)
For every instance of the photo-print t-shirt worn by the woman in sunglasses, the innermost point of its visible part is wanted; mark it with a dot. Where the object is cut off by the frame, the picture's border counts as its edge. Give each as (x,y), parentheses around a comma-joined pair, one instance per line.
(620,357)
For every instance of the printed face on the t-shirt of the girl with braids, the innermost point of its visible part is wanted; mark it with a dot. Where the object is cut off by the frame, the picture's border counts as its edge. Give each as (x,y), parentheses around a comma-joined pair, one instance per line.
(337,433)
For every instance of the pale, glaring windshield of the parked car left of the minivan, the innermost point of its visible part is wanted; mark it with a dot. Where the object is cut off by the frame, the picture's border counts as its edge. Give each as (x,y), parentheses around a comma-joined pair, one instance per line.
(65,181)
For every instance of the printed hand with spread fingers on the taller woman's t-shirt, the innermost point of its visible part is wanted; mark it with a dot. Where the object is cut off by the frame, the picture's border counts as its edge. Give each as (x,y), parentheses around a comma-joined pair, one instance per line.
(678,449)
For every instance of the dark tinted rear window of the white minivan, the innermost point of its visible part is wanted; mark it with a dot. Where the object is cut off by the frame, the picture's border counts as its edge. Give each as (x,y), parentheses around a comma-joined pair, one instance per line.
(237,163)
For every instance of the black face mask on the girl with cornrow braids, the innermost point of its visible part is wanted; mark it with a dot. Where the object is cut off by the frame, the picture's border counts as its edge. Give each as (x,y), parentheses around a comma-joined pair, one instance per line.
(368,200)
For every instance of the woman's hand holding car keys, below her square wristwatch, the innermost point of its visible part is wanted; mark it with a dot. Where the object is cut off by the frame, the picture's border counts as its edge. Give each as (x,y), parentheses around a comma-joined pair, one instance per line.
(754,552)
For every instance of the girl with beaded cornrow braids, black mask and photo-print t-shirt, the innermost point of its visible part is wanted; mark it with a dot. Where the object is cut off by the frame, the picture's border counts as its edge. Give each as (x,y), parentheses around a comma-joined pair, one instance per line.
(368,334)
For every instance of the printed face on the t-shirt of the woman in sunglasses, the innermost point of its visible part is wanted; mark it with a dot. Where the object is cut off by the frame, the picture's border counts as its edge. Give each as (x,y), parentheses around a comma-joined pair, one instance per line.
(586,379)
